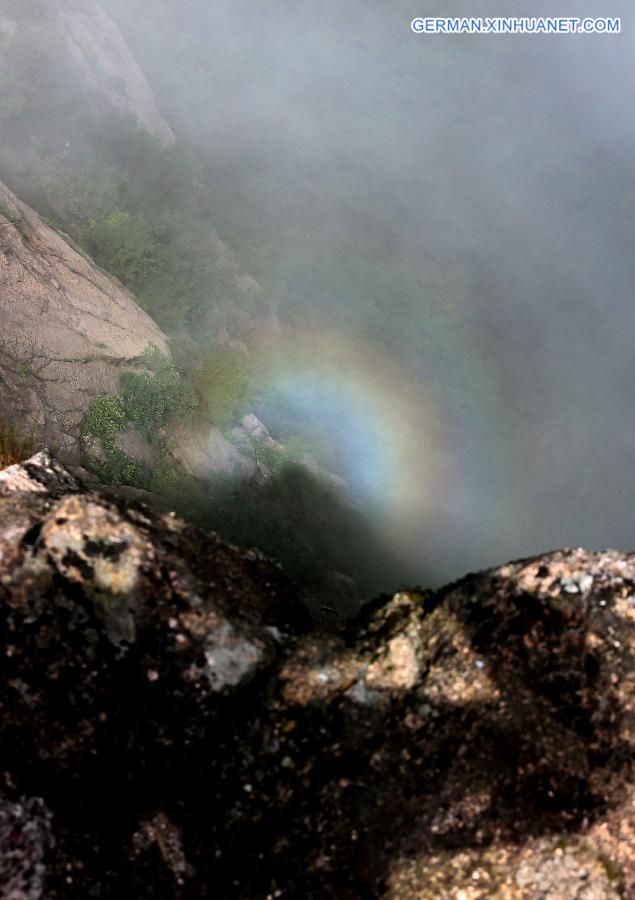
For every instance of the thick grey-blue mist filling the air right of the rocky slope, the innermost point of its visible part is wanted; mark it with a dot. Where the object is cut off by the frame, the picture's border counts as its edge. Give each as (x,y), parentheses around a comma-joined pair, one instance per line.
(445,226)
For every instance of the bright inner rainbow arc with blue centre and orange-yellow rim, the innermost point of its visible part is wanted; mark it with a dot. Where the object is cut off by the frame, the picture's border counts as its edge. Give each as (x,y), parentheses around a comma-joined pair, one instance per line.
(390,437)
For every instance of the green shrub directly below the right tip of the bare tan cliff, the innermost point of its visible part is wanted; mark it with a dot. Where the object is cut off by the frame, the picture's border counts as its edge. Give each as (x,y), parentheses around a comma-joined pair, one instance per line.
(151,398)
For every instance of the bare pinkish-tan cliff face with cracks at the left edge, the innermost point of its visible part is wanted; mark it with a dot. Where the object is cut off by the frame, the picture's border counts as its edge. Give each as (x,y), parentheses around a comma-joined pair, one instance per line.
(68,330)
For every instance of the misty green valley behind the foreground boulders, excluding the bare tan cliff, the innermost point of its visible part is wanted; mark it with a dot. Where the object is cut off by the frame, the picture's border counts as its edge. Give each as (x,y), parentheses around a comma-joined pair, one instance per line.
(394,273)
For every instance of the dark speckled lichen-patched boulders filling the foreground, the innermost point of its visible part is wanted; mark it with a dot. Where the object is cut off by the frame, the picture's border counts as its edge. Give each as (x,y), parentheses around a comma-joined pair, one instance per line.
(171,727)
